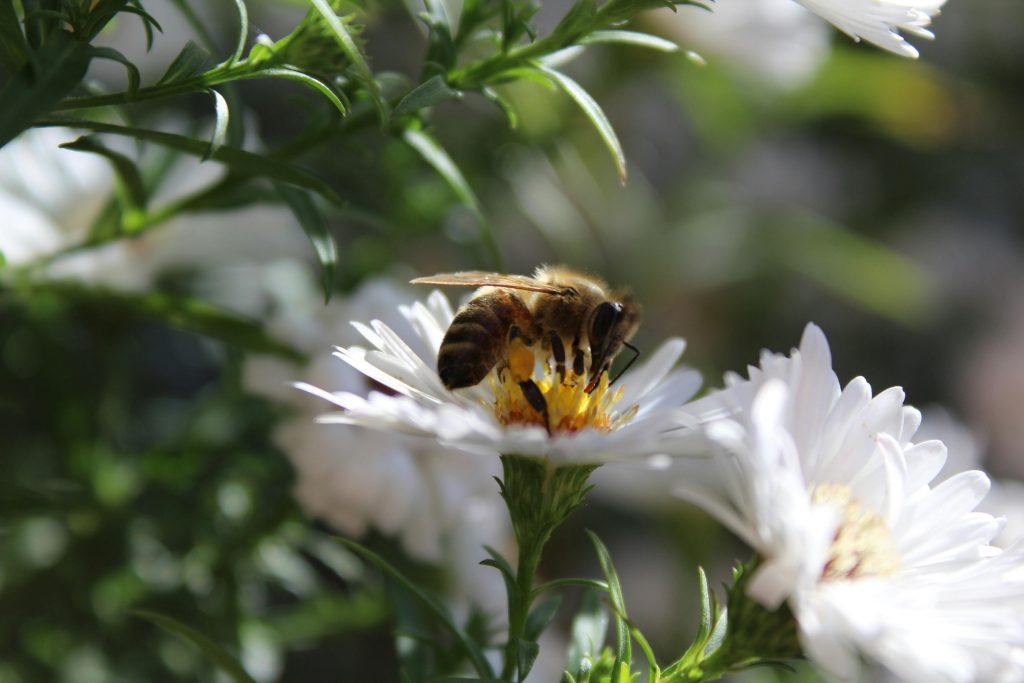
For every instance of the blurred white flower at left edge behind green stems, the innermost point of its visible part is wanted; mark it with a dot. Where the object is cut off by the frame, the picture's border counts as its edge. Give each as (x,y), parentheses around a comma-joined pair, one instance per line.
(51,197)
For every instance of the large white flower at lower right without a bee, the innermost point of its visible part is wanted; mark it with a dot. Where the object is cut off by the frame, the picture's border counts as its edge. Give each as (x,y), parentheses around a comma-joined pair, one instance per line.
(829,489)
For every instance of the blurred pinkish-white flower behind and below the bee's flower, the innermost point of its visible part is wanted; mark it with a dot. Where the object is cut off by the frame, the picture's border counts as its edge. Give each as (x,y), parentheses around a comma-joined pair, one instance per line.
(442,505)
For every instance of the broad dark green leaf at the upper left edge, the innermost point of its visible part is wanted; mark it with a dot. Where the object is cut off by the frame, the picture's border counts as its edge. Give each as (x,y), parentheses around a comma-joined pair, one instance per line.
(42,82)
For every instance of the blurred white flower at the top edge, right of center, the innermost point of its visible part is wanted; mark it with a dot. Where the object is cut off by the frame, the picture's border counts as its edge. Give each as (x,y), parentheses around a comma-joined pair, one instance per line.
(776,41)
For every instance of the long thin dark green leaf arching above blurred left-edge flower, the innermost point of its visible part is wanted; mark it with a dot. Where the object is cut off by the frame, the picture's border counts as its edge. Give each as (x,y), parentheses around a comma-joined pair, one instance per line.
(241,162)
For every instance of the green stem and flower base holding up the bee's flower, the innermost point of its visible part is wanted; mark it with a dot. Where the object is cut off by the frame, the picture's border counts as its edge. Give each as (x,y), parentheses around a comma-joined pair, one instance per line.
(540,497)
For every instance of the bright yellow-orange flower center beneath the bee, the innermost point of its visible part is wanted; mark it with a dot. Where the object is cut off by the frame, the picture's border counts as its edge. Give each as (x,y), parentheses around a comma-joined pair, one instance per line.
(569,407)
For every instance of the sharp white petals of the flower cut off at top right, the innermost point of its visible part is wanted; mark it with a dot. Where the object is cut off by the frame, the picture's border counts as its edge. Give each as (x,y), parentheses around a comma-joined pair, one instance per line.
(880,22)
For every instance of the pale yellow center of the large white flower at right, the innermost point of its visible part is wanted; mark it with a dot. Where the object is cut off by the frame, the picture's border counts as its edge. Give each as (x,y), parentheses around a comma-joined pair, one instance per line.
(864,546)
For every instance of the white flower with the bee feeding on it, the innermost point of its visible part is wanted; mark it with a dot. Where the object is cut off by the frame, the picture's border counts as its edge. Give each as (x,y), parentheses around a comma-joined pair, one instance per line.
(634,421)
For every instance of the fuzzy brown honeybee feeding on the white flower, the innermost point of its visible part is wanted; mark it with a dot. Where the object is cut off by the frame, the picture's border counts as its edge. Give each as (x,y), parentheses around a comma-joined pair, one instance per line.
(559,308)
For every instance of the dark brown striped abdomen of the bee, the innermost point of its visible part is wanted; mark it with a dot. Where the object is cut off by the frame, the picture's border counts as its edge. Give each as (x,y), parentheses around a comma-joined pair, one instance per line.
(478,337)
